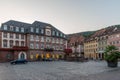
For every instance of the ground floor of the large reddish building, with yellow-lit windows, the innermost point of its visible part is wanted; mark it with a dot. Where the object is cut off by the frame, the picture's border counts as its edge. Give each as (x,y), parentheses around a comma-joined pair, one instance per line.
(7,55)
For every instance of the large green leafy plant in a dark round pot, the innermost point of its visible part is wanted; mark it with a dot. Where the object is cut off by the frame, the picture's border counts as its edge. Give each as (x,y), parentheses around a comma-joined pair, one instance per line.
(111,56)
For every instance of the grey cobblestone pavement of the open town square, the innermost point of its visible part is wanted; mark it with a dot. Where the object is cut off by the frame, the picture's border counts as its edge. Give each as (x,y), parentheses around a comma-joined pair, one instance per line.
(59,70)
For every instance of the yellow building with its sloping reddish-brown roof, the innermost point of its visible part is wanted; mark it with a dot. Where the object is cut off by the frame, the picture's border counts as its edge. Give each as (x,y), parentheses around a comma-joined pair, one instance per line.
(92,44)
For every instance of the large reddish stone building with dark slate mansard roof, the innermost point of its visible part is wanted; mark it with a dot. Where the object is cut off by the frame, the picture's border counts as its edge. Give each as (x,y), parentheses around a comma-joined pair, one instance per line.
(19,40)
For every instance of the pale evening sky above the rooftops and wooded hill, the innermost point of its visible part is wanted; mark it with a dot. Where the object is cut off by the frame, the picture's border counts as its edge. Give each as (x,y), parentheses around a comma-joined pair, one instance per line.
(69,16)
